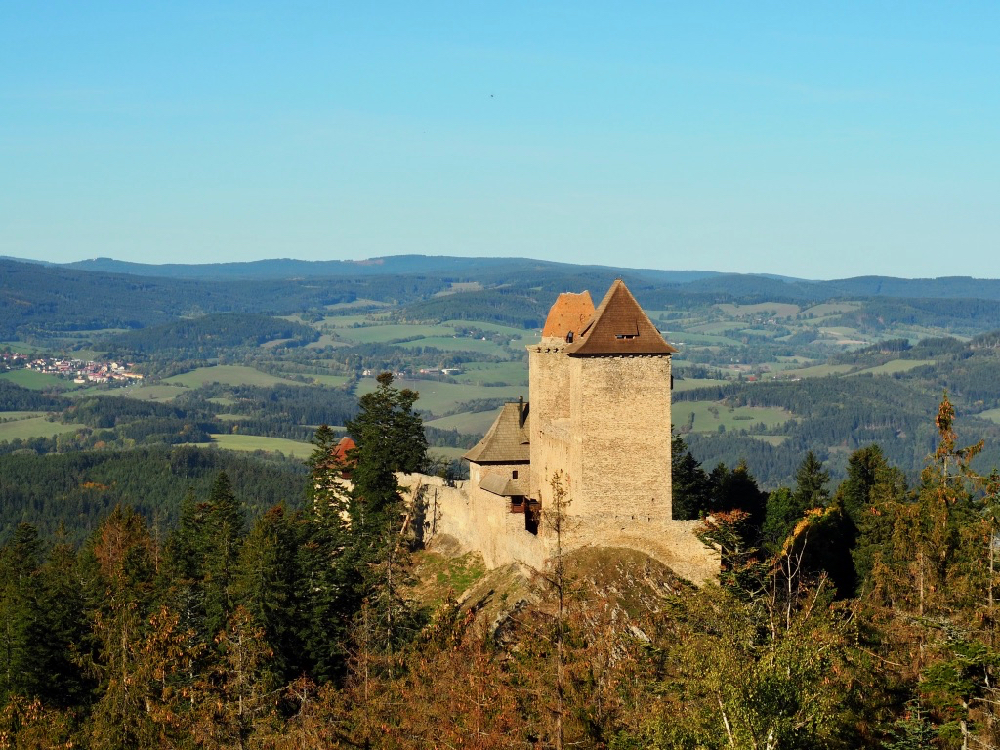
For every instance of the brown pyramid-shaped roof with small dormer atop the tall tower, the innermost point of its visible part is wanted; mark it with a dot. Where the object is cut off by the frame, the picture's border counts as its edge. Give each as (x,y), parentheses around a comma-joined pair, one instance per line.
(619,326)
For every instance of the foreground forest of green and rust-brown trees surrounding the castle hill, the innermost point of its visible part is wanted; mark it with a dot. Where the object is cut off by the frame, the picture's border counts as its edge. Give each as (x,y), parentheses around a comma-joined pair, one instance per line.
(218,613)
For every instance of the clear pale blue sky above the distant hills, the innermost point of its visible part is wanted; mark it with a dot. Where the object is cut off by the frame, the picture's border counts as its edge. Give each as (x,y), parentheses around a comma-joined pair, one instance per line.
(820,140)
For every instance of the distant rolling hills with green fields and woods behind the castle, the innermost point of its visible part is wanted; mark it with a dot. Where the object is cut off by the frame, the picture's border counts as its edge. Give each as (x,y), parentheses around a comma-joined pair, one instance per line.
(285,331)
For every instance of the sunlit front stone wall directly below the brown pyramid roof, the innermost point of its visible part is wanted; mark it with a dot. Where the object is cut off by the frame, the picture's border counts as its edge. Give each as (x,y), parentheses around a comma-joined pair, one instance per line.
(620,417)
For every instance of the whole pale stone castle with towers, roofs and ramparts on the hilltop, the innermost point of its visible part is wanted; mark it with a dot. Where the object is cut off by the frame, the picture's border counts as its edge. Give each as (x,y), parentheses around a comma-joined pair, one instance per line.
(593,442)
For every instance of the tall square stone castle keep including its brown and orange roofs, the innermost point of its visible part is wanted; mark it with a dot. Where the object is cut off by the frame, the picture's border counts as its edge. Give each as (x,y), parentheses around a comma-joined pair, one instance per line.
(600,412)
